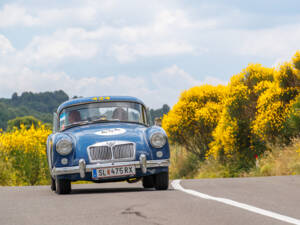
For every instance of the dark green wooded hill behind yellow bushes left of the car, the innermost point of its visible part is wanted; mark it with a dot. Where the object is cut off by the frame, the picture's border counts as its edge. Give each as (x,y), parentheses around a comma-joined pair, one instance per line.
(39,105)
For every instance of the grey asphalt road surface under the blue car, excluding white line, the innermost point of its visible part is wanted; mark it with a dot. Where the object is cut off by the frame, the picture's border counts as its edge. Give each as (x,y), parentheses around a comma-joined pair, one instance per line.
(122,203)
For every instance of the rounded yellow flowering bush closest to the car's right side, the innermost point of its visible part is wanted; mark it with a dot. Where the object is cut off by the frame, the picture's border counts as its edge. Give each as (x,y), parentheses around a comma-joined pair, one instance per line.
(195,116)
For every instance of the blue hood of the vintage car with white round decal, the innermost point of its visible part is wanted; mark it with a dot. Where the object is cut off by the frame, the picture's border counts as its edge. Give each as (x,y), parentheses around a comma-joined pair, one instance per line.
(86,135)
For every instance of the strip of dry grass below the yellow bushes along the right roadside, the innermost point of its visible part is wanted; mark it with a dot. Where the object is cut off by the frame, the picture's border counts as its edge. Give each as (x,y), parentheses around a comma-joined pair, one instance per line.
(278,161)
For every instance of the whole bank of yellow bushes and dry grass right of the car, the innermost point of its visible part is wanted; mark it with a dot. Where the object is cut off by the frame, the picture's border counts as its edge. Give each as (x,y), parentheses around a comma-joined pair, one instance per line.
(250,127)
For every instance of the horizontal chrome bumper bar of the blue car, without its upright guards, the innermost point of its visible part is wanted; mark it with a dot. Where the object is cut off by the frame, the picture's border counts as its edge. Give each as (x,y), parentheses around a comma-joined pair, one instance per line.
(75,169)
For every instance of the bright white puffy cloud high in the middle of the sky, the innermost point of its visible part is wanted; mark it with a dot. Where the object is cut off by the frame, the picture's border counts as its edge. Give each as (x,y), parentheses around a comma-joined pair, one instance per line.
(165,36)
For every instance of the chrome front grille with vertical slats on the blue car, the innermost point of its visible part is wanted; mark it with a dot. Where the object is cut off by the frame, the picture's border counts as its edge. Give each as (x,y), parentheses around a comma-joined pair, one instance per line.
(111,151)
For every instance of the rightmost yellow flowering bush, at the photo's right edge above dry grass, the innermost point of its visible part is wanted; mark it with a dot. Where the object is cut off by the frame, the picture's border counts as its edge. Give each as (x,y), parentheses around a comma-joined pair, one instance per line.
(274,105)
